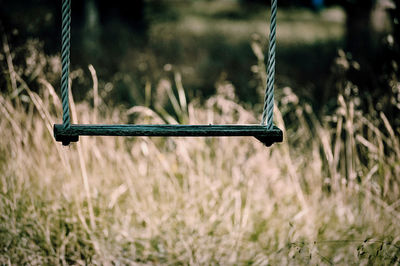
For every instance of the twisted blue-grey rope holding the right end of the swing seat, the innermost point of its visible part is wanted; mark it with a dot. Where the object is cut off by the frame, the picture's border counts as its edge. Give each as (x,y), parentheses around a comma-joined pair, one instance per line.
(268,110)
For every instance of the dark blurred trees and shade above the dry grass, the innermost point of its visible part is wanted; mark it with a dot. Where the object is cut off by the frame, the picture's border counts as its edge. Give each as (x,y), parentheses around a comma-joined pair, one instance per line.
(208,42)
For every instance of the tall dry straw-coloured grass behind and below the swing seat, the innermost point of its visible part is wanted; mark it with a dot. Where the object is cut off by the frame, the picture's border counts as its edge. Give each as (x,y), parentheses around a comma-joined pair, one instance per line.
(327,195)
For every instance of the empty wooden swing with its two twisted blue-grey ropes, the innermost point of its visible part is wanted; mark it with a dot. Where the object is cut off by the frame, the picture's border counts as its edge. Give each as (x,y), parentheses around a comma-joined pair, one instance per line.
(266,132)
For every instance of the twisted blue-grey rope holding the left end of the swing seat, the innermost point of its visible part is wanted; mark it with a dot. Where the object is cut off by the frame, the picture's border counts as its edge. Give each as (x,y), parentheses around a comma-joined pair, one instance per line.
(65,60)
